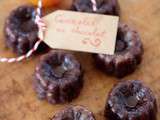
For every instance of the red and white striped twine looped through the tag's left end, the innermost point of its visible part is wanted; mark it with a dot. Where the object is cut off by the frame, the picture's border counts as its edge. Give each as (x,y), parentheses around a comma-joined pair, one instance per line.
(42,28)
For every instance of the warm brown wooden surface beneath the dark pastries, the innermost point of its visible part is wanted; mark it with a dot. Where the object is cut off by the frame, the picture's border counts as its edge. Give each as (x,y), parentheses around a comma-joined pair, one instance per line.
(18,100)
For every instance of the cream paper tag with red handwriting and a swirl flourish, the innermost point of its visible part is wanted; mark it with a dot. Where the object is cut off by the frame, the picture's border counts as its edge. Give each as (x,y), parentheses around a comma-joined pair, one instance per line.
(85,32)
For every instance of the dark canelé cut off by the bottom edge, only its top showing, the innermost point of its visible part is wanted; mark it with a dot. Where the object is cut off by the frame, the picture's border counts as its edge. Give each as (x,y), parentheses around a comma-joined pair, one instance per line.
(74,113)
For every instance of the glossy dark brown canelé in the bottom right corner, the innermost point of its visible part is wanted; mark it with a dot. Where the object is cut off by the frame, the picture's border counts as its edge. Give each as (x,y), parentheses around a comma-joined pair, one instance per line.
(131,100)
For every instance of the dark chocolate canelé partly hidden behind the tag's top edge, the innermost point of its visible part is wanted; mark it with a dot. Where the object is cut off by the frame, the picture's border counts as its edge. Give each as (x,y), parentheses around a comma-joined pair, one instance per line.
(109,7)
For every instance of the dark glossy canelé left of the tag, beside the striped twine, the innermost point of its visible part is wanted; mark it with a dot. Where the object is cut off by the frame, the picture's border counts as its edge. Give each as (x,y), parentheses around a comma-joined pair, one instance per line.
(21,31)
